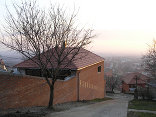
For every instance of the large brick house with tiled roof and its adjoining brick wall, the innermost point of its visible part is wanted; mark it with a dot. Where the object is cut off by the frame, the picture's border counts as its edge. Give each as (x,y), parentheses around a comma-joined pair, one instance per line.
(83,81)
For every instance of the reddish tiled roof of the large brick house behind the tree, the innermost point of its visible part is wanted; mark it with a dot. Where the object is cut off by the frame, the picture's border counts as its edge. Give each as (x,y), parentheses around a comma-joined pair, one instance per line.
(83,59)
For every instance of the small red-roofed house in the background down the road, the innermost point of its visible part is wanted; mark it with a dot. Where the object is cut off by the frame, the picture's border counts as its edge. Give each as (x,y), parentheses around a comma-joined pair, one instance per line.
(130,80)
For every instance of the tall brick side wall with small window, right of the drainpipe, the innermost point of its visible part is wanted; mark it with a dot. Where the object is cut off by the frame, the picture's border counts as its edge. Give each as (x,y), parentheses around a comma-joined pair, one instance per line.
(92,83)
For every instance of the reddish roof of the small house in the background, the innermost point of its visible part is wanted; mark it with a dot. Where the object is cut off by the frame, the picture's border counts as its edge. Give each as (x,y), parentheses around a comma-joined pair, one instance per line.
(130,78)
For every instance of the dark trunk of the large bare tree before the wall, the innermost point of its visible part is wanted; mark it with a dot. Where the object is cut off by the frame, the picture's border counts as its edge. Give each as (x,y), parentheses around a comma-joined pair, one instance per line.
(50,105)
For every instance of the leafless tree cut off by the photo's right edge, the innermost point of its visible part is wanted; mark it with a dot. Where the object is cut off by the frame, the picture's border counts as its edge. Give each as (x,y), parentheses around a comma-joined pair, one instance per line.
(149,60)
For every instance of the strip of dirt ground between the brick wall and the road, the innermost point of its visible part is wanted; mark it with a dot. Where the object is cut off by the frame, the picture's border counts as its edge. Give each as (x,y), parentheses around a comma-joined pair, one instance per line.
(42,111)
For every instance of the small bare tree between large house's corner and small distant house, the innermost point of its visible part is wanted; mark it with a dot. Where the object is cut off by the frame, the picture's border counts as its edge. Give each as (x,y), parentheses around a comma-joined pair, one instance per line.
(112,82)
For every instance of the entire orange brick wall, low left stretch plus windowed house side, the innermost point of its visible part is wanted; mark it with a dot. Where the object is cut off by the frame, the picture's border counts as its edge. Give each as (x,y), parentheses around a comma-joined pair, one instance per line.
(25,91)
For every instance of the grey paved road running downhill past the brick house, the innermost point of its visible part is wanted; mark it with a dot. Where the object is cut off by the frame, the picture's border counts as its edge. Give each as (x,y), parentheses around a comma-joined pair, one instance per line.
(111,108)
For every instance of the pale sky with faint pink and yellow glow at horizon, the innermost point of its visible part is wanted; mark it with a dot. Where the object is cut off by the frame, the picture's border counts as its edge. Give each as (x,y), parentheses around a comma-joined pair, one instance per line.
(122,27)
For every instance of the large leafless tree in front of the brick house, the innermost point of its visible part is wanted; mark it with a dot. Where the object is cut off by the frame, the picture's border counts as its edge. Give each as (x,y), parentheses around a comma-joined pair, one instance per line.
(42,36)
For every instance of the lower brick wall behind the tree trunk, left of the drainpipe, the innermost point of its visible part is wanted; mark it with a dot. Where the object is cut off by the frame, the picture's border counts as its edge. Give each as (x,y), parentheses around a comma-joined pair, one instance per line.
(25,91)
